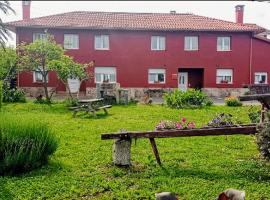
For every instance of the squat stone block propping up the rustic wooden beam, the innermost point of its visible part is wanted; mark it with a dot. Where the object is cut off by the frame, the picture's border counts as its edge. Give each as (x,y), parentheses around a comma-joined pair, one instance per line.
(121,152)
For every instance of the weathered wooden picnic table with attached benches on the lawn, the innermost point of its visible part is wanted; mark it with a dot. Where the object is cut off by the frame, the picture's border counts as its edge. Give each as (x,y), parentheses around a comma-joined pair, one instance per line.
(90,105)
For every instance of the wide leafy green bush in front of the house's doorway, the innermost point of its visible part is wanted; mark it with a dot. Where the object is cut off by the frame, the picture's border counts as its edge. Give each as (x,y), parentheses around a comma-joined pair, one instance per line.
(190,99)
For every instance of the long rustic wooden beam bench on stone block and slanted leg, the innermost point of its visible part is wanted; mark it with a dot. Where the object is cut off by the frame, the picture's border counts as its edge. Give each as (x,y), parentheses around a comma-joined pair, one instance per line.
(122,143)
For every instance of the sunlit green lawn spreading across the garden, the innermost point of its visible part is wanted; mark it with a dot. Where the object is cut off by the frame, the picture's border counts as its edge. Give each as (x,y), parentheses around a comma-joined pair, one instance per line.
(81,168)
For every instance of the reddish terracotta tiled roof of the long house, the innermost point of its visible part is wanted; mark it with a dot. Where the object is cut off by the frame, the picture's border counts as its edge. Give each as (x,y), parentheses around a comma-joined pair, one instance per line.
(134,21)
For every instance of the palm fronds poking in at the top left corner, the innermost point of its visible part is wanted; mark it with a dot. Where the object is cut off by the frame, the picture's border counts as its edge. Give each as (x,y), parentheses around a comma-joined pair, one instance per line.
(4,33)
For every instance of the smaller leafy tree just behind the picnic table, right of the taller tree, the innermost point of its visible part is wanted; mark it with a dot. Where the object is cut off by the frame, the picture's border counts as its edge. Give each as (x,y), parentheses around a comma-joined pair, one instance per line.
(66,68)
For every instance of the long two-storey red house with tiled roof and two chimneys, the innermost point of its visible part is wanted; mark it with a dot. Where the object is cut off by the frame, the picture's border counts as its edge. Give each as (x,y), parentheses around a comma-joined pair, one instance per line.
(153,50)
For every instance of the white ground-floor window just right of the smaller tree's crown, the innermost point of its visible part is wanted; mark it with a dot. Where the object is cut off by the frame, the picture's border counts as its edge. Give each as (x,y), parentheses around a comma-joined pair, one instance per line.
(105,74)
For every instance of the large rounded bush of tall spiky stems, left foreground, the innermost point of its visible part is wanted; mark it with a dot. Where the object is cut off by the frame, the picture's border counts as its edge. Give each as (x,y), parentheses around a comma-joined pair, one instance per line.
(25,144)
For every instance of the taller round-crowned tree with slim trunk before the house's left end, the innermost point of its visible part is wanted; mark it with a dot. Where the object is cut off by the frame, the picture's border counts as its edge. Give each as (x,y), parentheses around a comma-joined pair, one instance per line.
(37,56)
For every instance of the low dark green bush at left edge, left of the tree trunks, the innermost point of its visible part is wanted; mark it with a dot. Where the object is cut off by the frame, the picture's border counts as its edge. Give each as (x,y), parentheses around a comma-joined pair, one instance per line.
(13,95)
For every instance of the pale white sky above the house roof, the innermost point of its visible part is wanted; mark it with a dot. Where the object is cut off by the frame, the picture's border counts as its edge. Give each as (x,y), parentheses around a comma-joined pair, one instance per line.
(254,11)
